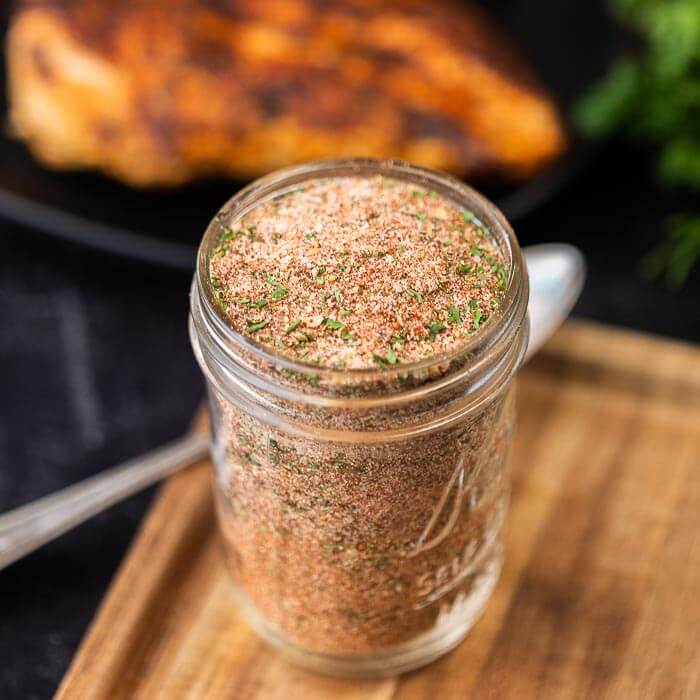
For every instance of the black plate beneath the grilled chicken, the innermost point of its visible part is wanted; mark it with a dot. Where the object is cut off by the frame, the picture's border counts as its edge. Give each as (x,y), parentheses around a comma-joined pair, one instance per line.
(569,44)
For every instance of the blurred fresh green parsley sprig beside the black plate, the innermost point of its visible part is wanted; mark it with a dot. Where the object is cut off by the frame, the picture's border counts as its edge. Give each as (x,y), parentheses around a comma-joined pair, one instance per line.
(654,98)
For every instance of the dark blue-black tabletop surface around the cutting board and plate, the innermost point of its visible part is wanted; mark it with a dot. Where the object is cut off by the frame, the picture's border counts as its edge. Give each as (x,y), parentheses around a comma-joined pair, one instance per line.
(95,367)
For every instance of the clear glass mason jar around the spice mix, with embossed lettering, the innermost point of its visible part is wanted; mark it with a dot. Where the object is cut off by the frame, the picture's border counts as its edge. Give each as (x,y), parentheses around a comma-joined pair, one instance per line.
(362,510)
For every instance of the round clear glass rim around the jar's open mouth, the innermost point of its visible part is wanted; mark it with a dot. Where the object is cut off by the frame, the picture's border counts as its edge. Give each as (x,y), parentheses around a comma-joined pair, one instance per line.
(511,309)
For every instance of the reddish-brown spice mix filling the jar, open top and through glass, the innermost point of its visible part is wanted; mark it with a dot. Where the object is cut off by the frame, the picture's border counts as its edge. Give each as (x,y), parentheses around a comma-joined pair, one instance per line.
(352,547)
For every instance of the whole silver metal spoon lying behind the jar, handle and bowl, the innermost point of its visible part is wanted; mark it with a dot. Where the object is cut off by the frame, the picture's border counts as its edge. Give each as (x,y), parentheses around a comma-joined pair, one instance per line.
(557,273)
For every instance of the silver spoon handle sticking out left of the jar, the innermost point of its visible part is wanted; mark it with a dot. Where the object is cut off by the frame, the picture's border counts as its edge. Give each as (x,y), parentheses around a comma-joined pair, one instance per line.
(26,528)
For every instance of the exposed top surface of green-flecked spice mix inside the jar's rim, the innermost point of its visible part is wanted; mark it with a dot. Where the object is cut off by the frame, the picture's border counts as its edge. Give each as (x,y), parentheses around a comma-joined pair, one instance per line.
(358,272)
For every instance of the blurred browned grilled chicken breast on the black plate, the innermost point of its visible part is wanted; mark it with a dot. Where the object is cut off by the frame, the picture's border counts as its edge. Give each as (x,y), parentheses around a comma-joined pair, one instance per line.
(158,92)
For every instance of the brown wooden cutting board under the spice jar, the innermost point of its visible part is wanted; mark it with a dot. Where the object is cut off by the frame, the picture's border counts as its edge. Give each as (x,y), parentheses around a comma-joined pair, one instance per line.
(599,597)
